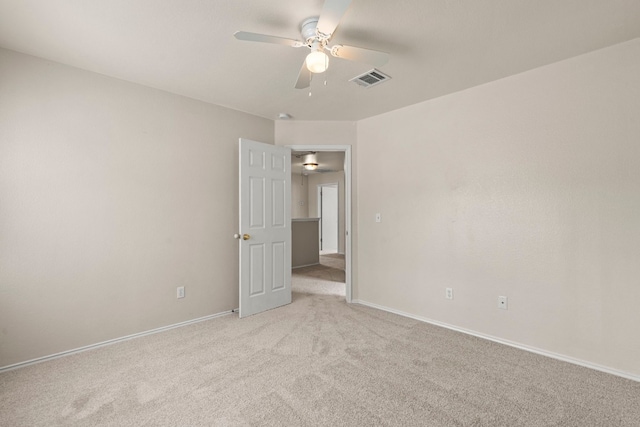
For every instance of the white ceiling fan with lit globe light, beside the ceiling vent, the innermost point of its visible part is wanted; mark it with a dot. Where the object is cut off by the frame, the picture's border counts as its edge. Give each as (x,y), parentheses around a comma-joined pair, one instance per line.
(316,33)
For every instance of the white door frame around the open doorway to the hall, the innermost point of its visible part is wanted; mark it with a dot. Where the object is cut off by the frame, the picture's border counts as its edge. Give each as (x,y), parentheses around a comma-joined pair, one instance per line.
(347,206)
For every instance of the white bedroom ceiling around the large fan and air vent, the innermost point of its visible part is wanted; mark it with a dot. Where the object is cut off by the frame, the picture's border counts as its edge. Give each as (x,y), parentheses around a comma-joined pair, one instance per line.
(436,46)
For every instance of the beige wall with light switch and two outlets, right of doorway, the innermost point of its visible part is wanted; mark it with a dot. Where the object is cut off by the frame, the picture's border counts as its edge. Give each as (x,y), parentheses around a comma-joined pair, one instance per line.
(526,187)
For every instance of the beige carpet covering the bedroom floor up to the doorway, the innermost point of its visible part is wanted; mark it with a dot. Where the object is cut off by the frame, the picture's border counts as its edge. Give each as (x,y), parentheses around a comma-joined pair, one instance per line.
(315,362)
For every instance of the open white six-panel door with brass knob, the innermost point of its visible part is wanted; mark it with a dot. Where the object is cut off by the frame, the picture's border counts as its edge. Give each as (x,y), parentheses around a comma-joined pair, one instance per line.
(265,227)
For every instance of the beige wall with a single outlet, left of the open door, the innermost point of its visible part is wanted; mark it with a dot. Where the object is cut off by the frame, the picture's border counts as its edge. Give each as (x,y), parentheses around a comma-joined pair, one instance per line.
(112,195)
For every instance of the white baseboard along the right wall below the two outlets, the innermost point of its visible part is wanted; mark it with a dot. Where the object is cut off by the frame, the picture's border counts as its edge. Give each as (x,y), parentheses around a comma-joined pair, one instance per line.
(541,352)
